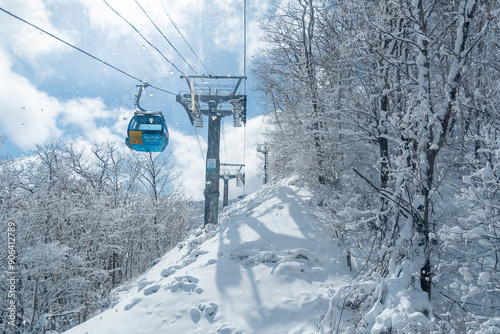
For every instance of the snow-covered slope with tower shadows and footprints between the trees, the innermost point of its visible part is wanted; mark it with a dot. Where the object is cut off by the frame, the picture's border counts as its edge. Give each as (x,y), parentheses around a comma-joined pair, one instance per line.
(266,268)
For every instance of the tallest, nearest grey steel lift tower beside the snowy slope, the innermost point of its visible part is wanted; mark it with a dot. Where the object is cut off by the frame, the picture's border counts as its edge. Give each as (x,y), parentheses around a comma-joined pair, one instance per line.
(216,102)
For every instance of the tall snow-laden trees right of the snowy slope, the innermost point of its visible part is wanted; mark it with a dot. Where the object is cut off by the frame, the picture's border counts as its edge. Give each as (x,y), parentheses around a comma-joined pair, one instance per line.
(390,110)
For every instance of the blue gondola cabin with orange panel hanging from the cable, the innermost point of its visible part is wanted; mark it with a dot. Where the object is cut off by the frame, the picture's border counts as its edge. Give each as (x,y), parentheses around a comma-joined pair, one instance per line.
(147,133)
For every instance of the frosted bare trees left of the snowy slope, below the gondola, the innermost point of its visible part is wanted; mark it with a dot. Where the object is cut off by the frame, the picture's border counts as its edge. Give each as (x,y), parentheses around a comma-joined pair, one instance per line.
(86,220)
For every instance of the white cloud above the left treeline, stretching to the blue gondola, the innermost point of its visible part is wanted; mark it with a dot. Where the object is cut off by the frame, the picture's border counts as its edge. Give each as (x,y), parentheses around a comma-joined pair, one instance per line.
(29,116)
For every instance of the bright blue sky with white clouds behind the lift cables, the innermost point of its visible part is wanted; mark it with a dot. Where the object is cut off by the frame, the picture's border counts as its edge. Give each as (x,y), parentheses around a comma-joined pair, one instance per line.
(51,91)
